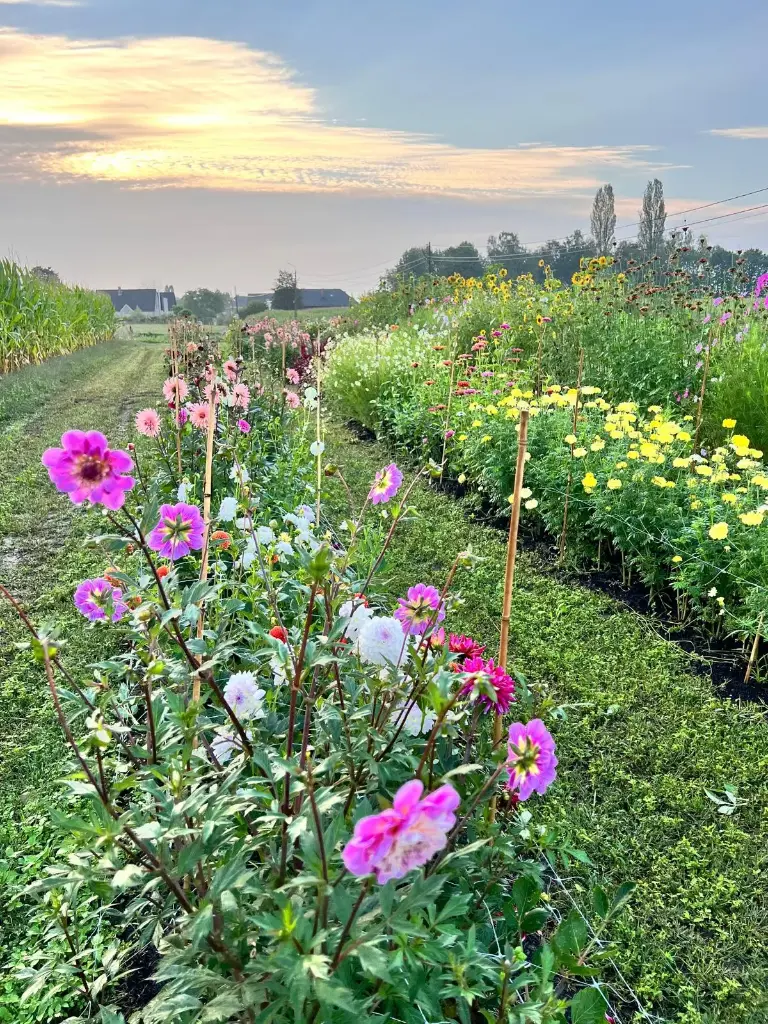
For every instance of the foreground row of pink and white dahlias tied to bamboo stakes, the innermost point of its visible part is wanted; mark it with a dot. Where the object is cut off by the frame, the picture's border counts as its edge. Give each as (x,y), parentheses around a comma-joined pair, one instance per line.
(285,786)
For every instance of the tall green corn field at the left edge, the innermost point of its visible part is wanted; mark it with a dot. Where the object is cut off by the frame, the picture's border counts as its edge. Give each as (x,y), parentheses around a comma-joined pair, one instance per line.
(39,319)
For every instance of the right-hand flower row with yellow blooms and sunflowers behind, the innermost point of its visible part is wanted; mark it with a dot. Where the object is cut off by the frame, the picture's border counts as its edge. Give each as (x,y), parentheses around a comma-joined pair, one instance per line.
(674,489)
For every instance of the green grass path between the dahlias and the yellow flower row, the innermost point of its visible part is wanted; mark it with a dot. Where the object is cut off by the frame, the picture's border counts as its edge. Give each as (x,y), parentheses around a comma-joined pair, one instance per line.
(641,738)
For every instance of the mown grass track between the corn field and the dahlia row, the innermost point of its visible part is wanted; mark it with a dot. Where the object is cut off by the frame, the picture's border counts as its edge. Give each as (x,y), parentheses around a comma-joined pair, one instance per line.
(42,560)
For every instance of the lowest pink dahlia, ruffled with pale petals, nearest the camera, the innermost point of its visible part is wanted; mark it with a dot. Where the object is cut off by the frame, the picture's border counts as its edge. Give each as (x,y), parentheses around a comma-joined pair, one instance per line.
(405,837)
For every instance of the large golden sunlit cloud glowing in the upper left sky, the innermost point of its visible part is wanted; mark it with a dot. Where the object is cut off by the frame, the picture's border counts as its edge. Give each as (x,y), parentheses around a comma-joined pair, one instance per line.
(202,113)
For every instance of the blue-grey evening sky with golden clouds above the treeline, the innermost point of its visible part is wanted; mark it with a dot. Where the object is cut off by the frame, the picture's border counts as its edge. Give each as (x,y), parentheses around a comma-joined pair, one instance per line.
(214,143)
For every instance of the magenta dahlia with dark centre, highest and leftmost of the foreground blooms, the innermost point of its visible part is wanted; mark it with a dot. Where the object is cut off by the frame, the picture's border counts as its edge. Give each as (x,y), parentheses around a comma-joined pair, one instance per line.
(89,471)
